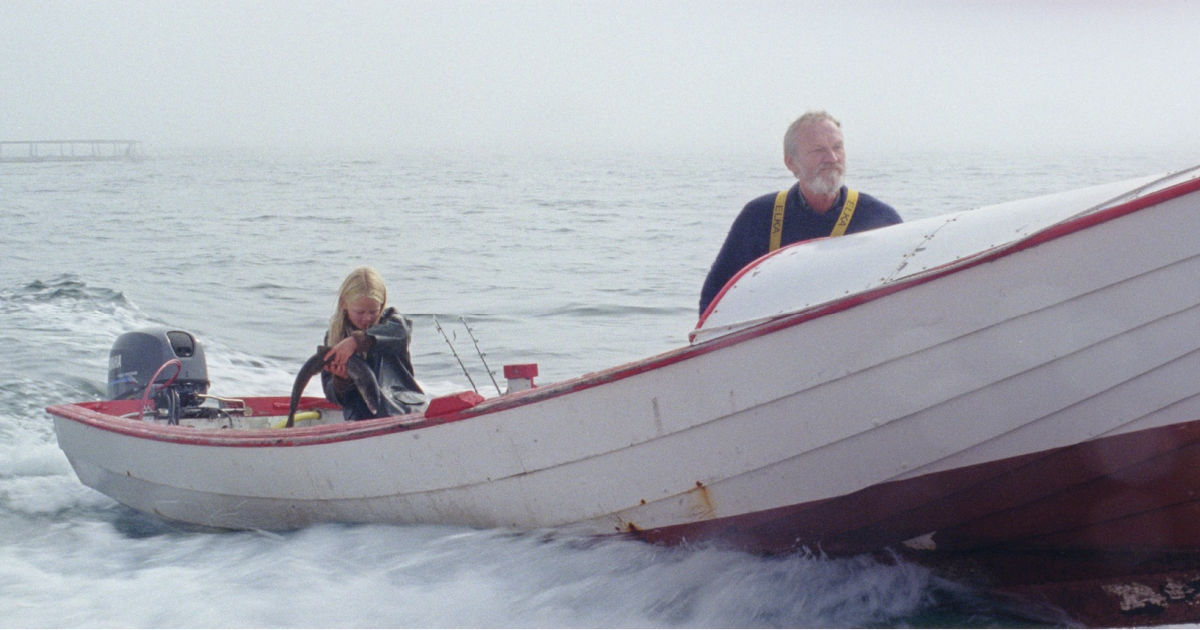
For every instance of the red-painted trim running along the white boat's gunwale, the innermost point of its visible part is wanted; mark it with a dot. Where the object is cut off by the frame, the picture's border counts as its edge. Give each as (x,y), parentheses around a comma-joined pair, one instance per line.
(347,431)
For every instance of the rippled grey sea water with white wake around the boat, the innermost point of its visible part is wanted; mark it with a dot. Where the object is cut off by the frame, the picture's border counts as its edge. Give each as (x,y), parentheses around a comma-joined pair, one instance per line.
(573,262)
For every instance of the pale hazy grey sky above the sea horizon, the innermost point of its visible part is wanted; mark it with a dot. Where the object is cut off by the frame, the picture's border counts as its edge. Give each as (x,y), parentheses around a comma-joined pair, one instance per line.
(595,75)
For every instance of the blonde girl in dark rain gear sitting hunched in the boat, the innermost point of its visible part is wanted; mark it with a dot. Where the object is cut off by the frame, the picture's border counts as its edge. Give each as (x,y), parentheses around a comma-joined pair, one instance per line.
(364,325)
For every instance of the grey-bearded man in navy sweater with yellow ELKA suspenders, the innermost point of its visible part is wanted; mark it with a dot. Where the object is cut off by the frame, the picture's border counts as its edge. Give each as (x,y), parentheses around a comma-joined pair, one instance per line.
(818,206)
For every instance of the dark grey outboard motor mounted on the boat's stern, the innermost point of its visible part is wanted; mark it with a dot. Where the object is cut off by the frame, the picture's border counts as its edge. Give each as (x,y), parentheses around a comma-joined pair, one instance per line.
(142,356)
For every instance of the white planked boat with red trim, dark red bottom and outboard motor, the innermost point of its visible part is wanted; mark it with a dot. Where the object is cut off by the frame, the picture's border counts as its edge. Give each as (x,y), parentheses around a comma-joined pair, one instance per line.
(1010,394)
